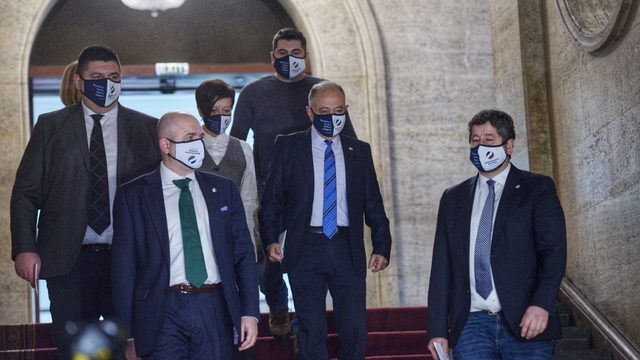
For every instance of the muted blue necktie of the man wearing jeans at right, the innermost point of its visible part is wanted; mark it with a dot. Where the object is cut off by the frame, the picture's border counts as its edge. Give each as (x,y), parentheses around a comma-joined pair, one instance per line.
(482,256)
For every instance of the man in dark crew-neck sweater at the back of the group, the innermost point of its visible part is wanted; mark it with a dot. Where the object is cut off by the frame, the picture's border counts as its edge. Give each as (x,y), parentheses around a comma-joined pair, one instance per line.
(270,106)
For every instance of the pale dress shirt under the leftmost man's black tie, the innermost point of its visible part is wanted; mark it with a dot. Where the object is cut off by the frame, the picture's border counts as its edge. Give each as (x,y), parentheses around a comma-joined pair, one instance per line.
(109,123)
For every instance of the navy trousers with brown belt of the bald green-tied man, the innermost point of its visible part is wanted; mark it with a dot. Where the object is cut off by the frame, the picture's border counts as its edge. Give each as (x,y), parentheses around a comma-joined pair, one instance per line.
(195,327)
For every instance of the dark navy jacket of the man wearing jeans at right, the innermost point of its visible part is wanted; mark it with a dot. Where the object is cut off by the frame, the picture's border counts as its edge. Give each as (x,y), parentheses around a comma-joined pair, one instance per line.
(528,254)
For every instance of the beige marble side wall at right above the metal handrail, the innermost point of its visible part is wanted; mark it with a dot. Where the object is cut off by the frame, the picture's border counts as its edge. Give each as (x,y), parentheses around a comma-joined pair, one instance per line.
(587,105)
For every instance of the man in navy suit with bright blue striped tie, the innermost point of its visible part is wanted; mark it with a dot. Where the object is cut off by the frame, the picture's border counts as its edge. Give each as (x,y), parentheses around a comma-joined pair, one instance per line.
(320,187)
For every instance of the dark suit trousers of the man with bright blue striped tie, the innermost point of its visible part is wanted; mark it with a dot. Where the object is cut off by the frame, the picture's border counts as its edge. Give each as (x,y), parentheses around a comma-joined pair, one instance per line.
(326,264)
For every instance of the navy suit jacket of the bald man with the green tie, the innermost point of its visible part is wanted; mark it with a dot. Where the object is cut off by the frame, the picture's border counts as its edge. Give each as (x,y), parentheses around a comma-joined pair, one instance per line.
(140,254)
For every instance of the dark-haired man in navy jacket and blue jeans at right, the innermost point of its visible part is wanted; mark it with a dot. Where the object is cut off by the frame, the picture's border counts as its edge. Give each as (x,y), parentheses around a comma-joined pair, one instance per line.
(499,255)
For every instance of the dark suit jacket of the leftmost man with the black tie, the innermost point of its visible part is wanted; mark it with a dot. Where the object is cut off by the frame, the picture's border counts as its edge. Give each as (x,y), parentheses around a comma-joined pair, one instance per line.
(54,177)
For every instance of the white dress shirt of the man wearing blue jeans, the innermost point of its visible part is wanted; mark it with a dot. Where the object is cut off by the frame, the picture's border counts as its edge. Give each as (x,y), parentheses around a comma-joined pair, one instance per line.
(491,303)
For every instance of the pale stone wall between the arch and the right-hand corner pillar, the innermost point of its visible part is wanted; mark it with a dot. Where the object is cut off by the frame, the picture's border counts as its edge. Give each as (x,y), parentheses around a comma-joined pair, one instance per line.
(439,71)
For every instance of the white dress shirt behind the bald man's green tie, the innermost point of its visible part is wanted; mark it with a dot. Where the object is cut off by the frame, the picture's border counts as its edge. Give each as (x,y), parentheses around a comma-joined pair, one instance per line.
(171,194)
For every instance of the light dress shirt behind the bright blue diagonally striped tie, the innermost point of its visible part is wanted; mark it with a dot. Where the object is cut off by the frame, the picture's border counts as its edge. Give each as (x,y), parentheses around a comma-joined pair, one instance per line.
(318,147)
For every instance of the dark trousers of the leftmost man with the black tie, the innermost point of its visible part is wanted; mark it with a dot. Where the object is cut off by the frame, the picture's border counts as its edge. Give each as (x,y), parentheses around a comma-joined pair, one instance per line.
(82,294)
